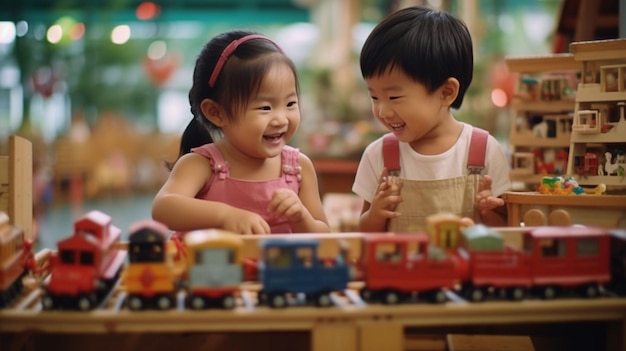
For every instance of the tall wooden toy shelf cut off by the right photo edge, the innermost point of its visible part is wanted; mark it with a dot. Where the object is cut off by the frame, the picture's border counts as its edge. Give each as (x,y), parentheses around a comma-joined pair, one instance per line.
(598,140)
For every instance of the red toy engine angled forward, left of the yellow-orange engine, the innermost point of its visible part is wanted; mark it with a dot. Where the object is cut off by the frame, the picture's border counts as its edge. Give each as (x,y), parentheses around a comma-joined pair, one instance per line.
(86,265)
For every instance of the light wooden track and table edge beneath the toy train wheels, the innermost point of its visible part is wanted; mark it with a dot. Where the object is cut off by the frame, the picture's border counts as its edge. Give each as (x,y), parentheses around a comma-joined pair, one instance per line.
(112,315)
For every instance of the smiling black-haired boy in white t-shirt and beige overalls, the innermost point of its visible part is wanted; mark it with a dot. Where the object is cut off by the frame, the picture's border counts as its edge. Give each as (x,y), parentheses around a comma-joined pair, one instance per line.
(418,64)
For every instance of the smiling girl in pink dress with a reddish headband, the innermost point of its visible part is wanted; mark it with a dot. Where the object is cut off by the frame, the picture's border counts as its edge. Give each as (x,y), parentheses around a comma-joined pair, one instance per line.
(249,181)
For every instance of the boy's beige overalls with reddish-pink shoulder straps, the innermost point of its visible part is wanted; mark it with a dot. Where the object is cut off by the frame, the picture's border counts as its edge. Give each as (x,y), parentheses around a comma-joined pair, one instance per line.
(422,198)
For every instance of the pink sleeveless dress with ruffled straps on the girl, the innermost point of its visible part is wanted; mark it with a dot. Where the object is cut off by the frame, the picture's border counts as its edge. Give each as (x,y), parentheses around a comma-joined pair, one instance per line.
(253,196)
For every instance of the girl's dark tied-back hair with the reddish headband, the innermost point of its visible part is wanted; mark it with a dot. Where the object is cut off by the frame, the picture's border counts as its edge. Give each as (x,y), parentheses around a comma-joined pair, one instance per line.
(229,70)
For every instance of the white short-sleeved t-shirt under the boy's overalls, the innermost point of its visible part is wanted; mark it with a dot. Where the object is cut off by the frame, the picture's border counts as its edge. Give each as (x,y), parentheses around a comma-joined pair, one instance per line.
(449,164)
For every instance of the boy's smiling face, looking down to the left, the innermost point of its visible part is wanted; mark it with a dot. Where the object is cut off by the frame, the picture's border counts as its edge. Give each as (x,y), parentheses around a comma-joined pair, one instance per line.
(405,106)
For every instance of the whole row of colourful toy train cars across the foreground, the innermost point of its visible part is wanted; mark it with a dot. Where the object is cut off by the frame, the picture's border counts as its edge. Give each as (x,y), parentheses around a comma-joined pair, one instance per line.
(207,268)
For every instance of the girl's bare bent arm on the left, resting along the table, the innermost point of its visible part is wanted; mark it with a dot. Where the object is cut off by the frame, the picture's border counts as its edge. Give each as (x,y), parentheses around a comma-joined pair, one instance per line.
(175,204)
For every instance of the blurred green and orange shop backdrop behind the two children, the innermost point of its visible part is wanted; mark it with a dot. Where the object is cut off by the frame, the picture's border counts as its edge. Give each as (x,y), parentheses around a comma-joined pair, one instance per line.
(100,87)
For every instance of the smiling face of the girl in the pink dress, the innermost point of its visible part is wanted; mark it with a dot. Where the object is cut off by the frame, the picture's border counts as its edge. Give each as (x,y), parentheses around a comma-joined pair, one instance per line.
(270,119)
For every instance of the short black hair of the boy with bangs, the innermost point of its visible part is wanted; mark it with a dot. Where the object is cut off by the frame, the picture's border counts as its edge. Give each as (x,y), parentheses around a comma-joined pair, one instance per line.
(429,46)
